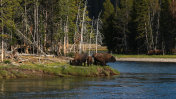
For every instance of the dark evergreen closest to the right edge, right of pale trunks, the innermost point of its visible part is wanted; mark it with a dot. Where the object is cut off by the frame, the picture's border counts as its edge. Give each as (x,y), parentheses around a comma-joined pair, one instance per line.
(166,27)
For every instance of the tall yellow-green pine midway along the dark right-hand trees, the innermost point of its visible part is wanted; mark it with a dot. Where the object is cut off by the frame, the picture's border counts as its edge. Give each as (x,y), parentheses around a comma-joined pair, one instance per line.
(142,19)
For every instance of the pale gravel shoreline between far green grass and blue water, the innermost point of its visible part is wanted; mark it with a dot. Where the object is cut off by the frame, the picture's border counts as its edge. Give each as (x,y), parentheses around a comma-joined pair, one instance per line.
(162,60)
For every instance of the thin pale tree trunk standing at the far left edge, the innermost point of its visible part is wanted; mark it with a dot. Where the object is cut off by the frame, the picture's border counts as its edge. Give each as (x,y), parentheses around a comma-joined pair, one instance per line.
(2,42)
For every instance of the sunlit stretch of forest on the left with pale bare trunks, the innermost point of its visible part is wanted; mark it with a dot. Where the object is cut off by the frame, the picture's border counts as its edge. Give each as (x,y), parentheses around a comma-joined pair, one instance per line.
(47,26)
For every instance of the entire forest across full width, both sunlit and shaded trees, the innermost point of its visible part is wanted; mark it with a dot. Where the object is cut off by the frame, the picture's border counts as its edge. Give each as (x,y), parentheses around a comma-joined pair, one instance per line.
(63,26)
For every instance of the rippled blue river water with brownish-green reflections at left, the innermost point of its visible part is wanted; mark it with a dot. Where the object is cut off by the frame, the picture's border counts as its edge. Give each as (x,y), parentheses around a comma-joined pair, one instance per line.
(138,80)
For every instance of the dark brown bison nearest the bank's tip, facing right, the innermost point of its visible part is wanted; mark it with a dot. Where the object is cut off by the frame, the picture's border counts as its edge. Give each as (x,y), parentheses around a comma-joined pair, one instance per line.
(103,58)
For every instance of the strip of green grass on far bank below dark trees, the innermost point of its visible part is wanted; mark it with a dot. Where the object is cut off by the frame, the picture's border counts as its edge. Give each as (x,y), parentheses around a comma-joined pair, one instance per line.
(144,56)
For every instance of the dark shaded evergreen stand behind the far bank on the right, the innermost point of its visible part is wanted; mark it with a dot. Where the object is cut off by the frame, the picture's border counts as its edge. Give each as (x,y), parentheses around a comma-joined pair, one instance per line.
(138,26)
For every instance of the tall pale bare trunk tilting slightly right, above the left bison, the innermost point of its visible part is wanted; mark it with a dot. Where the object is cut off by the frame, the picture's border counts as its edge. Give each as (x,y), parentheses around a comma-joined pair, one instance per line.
(82,28)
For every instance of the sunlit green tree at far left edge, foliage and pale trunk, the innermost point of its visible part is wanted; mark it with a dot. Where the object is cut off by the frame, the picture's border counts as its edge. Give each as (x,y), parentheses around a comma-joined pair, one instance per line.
(8,9)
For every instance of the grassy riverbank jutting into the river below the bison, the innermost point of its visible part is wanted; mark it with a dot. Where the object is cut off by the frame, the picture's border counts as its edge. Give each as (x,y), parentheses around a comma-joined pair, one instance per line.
(53,70)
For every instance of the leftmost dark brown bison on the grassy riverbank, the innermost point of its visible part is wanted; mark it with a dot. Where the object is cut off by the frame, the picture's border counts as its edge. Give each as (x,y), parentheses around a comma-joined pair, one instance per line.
(80,59)
